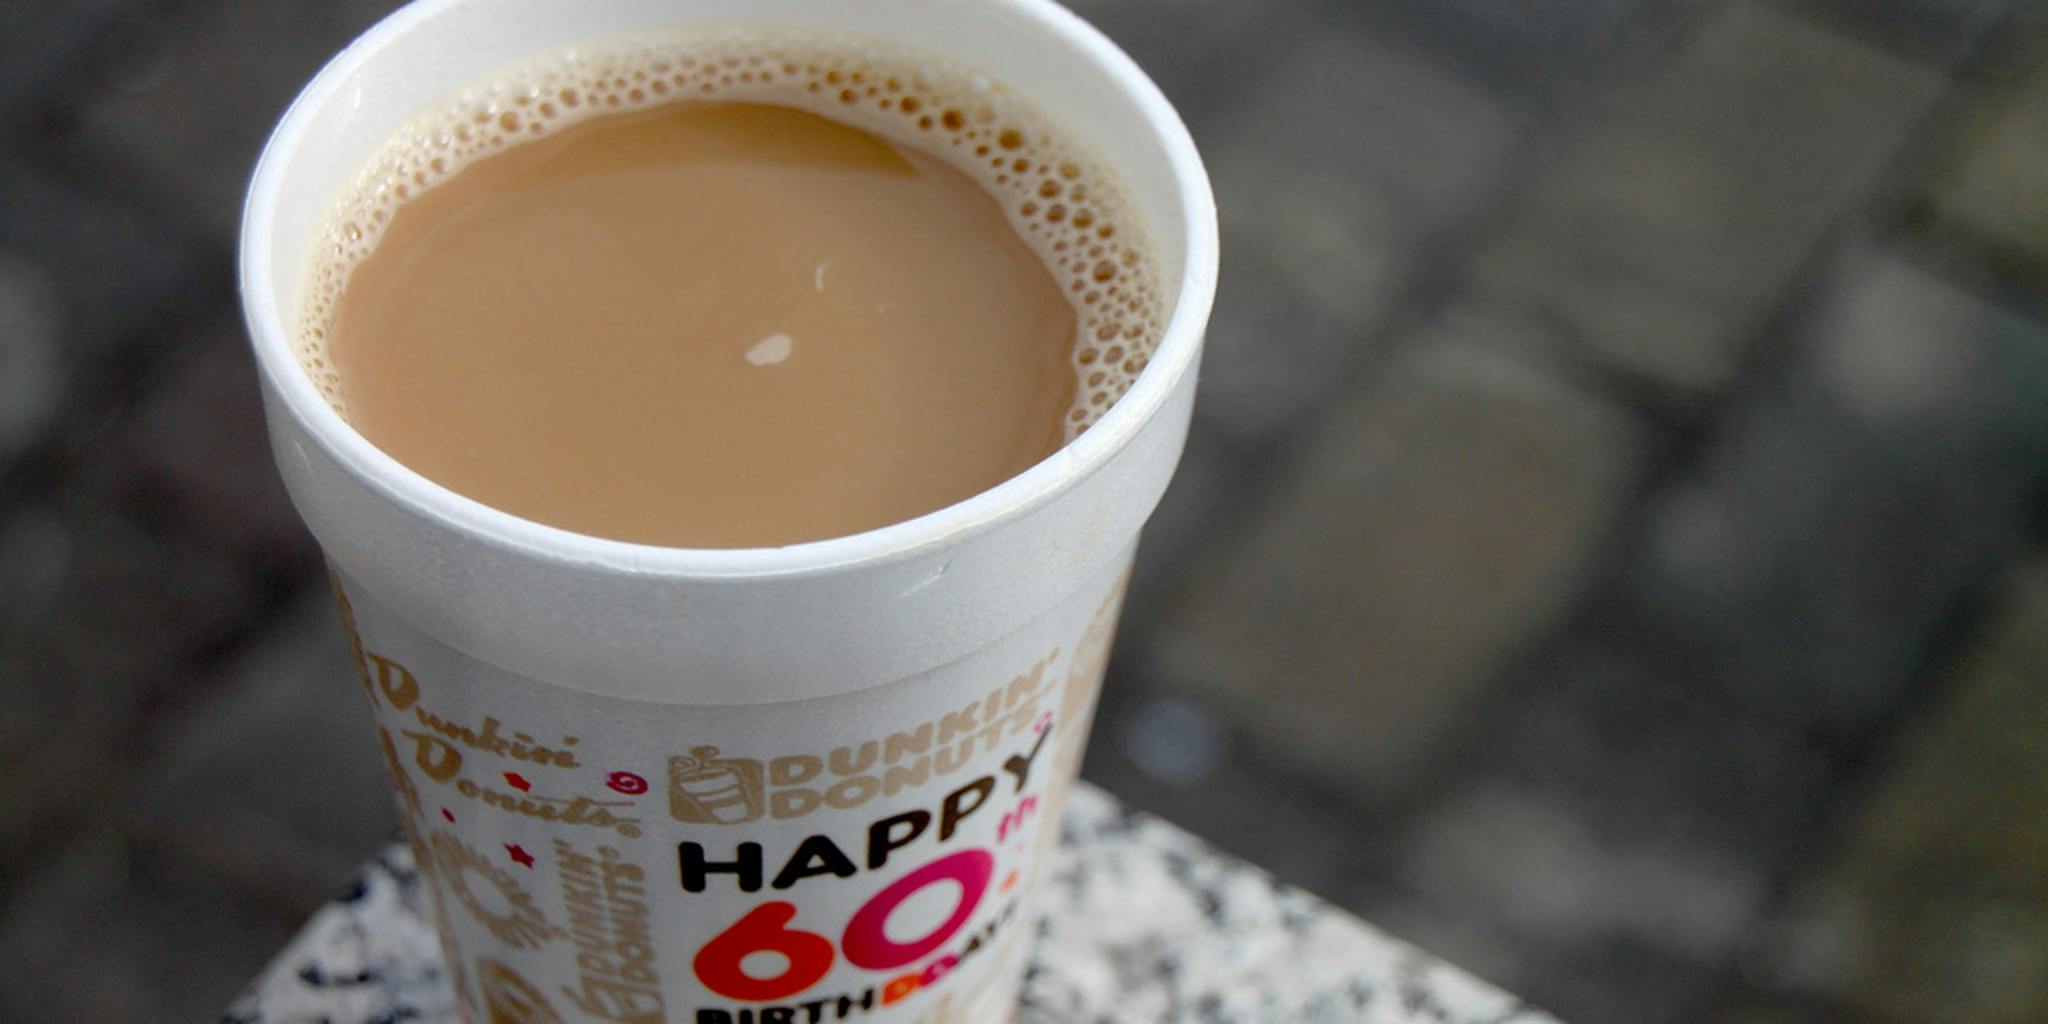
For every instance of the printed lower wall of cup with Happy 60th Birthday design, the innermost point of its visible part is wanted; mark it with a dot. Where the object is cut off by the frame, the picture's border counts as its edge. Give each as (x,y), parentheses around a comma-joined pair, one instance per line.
(951,812)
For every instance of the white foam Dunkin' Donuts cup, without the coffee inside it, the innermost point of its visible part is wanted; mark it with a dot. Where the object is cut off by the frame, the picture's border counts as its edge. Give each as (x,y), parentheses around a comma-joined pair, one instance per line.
(675,783)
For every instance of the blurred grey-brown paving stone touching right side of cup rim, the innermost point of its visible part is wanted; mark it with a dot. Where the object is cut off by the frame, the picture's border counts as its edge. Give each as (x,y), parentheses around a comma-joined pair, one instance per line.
(1334,181)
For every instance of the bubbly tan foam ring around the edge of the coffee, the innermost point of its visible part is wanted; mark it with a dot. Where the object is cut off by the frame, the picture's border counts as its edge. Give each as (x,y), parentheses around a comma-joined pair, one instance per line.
(1060,200)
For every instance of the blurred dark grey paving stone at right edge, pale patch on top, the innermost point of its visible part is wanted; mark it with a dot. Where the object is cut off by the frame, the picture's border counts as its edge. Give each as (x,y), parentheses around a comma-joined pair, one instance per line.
(1838,515)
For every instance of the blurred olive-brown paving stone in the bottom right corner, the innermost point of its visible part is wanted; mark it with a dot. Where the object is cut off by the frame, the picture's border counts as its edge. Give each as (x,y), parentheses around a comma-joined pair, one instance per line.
(1934,902)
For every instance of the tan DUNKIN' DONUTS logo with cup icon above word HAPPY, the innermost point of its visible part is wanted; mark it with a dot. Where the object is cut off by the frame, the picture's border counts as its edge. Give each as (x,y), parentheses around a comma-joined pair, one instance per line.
(712,790)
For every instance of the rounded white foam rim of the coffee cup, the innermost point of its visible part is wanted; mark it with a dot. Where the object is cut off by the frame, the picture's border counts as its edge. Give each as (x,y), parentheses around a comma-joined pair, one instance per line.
(480,523)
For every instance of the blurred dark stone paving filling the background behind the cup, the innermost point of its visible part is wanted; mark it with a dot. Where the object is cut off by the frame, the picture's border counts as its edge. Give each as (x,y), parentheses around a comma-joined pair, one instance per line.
(1611,552)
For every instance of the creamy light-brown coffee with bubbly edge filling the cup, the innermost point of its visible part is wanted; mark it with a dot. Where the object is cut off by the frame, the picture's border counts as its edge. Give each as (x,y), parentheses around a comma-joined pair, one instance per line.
(738,290)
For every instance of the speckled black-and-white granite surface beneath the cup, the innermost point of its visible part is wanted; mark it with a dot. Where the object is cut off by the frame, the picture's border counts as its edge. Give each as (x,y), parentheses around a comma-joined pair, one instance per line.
(1191,937)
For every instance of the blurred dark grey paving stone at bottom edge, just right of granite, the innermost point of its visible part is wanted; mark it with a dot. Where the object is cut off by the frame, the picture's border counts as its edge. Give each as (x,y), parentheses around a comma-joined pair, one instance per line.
(1609,835)
